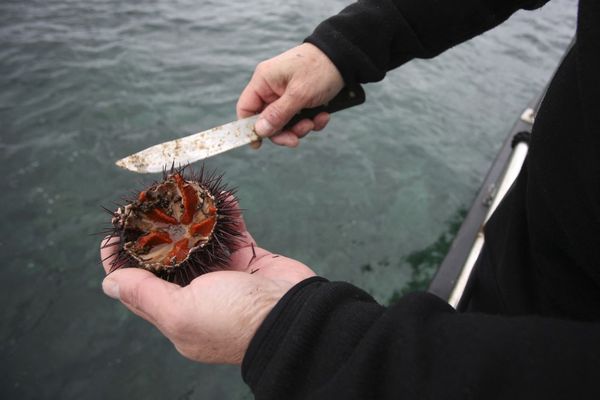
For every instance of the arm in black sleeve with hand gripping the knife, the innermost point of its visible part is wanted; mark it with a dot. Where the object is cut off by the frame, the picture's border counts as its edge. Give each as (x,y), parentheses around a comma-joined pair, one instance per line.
(360,44)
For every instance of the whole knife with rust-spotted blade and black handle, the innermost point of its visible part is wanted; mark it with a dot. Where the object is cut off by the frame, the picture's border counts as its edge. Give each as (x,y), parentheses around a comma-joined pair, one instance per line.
(199,146)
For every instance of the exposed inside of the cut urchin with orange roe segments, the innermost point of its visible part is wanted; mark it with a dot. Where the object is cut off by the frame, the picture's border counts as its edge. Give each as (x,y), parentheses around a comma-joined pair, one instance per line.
(175,217)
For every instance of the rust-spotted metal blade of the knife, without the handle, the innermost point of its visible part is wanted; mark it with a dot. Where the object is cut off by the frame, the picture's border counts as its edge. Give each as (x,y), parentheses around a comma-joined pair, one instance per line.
(189,149)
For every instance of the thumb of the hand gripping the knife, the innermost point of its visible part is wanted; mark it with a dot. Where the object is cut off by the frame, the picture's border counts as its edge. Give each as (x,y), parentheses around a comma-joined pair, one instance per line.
(277,114)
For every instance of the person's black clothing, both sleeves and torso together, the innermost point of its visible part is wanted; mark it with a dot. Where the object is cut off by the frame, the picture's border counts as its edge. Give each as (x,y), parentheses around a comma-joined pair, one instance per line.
(536,332)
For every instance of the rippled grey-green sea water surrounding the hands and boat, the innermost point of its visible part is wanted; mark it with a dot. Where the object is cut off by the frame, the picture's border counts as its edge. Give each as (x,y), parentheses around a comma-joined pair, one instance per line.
(373,200)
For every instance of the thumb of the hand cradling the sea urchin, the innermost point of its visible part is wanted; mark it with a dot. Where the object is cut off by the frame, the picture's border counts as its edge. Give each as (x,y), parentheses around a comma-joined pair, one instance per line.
(141,291)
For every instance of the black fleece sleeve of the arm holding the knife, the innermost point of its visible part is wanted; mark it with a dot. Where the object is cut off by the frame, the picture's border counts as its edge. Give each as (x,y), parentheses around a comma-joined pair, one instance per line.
(370,37)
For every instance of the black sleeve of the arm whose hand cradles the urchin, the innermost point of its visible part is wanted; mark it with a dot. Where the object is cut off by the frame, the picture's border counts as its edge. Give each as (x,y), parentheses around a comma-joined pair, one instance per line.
(330,340)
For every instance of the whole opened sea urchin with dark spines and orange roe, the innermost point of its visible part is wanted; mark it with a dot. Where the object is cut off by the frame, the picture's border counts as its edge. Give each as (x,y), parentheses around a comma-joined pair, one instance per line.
(178,228)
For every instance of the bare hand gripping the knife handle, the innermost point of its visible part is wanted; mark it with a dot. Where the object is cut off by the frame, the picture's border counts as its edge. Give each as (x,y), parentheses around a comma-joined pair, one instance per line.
(303,77)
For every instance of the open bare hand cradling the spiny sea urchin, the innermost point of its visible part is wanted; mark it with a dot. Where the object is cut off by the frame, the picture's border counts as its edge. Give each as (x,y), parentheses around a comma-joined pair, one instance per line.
(214,318)
